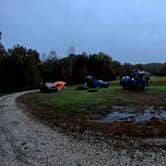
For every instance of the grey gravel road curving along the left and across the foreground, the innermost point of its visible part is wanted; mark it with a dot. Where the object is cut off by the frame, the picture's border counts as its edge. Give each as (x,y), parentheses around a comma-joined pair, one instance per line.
(24,141)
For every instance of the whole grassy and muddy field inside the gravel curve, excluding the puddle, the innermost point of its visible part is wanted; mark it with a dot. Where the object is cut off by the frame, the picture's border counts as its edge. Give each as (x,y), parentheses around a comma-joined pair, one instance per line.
(78,110)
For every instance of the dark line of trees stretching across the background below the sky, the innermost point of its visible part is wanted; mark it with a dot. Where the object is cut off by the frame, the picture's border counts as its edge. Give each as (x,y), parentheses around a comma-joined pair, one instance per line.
(21,68)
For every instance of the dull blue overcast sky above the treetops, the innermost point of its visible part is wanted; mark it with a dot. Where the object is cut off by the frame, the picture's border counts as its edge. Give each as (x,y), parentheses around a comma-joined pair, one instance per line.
(128,30)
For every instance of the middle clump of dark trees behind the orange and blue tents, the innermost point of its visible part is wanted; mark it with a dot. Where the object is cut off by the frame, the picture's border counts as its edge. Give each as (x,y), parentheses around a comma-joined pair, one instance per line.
(74,68)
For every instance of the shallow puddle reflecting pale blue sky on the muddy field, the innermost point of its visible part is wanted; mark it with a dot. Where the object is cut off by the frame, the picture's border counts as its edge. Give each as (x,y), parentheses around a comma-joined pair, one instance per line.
(146,116)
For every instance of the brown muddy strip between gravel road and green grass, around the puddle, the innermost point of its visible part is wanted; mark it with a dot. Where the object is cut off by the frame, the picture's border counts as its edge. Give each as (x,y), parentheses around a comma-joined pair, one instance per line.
(151,129)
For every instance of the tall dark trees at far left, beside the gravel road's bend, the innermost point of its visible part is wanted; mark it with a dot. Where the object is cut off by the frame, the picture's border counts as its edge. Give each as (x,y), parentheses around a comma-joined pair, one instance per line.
(19,69)
